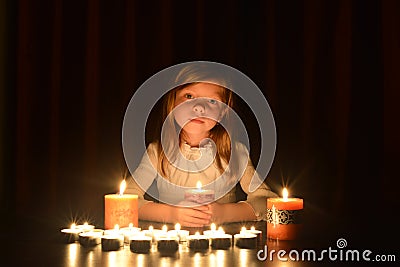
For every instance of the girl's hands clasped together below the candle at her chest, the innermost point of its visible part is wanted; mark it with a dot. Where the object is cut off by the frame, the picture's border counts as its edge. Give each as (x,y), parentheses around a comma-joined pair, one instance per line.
(192,216)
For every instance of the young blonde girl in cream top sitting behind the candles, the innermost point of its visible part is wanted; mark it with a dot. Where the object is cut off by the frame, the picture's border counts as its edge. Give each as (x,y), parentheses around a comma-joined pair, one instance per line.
(197,144)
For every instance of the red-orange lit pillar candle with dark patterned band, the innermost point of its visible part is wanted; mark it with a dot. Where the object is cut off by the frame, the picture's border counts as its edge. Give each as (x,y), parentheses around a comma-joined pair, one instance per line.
(283,217)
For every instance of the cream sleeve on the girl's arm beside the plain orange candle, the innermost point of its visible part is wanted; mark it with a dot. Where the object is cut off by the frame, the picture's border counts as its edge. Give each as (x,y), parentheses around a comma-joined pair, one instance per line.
(144,175)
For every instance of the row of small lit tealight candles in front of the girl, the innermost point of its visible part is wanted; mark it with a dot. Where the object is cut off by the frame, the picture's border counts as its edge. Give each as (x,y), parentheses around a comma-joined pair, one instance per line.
(141,241)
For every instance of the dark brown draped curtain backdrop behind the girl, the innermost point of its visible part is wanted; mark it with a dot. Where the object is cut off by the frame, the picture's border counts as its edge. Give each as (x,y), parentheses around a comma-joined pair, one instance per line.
(329,70)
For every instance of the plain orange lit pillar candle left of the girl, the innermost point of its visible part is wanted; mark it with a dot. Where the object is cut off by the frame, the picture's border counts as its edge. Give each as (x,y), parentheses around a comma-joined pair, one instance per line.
(121,209)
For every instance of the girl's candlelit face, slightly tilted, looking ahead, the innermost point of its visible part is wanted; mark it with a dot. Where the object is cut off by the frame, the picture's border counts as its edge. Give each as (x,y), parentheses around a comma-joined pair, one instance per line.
(198,107)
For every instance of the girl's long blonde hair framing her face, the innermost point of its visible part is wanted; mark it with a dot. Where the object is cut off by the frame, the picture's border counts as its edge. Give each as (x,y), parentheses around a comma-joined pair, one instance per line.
(188,76)
